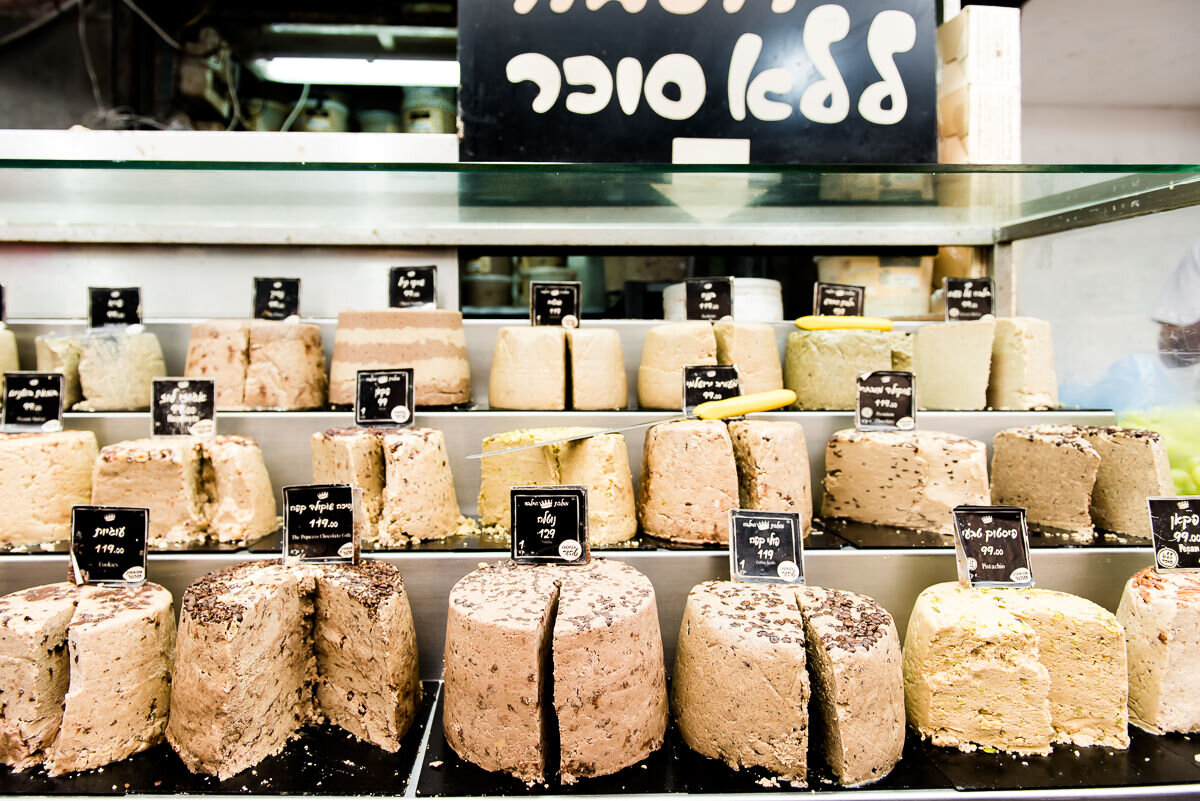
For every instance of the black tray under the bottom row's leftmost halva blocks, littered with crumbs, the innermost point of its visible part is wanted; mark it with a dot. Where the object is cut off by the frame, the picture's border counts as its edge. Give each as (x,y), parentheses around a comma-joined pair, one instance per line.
(323,761)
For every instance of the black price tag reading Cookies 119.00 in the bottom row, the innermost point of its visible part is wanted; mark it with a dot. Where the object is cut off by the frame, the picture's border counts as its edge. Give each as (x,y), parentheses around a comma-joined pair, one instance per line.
(109,545)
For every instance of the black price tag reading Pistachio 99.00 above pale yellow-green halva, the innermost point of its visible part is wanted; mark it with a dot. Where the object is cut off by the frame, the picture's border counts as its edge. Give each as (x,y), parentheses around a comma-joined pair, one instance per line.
(993,546)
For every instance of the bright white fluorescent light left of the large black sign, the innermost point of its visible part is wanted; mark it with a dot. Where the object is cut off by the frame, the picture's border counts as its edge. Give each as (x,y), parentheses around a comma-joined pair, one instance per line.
(357,73)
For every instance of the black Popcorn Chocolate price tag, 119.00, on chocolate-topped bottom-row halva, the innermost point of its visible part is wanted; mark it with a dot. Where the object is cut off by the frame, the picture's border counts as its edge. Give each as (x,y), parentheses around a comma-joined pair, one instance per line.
(321,523)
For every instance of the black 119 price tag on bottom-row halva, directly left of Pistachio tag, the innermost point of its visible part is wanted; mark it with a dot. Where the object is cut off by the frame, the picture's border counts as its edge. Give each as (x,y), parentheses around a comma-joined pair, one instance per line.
(766,547)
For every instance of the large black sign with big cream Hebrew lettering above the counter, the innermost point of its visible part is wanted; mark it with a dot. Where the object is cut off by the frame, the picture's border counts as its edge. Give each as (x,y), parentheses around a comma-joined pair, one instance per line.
(625,81)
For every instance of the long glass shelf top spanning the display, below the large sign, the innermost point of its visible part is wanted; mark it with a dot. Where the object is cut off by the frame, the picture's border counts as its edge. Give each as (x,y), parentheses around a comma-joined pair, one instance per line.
(454,204)
